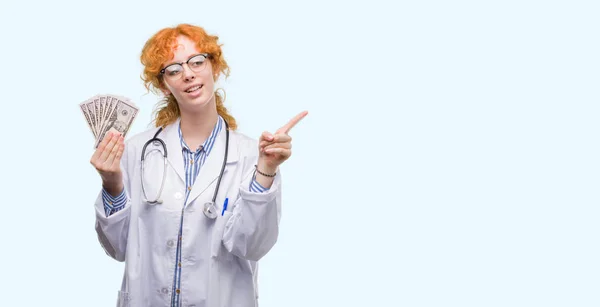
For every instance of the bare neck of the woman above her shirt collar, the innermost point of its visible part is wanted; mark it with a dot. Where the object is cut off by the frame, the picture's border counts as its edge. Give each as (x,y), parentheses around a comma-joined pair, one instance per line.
(196,127)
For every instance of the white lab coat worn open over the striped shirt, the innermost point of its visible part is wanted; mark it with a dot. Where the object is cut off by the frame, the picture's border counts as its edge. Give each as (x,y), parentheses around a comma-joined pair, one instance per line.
(219,257)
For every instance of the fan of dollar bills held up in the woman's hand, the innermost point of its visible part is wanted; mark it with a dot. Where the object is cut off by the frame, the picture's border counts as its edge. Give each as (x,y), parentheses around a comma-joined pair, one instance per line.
(108,112)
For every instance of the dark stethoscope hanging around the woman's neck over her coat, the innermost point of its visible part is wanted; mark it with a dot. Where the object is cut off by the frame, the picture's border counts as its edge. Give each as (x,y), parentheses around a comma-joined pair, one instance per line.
(209,209)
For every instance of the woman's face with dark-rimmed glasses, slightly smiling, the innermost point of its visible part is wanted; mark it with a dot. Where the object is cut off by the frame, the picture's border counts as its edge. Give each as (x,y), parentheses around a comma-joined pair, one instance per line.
(192,82)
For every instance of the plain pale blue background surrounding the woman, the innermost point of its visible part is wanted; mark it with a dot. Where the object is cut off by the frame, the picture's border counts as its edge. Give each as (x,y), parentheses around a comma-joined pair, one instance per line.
(450,156)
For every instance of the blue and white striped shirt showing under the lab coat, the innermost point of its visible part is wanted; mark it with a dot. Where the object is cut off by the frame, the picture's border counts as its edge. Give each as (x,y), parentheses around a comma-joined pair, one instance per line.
(193,161)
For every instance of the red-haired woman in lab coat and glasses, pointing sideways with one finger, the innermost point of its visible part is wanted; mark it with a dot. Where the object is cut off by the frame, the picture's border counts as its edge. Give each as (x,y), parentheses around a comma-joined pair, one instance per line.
(180,251)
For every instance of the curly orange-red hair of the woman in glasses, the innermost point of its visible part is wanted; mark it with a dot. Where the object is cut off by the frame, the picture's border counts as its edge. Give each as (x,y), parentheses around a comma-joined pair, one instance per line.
(159,49)
